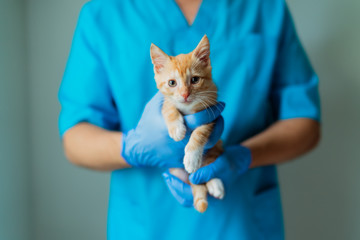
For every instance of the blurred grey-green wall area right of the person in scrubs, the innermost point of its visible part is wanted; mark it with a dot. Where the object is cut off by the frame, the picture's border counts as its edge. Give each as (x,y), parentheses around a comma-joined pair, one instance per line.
(321,191)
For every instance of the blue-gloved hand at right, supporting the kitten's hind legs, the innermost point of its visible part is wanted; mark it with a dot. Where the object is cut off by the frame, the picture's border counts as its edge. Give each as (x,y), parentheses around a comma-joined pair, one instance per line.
(234,162)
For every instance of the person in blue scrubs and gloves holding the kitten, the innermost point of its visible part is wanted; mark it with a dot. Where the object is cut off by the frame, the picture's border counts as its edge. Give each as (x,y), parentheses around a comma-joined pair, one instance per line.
(272,112)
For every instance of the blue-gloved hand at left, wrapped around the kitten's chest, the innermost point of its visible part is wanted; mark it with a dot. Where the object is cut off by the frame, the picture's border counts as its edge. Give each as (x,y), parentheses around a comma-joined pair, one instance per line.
(149,144)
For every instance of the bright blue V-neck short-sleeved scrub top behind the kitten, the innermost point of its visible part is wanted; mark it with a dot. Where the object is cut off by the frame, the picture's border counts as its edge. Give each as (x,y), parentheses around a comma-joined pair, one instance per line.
(262,74)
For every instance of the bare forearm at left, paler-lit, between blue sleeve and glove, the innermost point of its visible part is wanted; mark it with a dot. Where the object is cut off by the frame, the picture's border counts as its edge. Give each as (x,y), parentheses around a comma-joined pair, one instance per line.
(92,147)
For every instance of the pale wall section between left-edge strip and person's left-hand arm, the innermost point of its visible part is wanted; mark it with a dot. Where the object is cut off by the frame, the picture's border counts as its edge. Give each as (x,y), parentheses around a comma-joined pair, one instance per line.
(67,202)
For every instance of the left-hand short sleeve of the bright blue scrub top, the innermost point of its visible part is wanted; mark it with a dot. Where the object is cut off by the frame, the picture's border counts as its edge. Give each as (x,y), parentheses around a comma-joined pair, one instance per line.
(85,94)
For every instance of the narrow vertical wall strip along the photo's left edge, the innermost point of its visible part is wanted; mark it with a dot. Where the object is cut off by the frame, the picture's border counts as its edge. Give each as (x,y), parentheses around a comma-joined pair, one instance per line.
(14,144)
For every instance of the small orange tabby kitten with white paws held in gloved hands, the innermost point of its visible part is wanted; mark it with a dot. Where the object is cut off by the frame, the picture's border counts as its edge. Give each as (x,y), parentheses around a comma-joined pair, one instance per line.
(186,83)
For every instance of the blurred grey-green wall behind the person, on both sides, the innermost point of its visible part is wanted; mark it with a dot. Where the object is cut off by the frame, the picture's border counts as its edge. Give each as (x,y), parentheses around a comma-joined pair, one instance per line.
(320,191)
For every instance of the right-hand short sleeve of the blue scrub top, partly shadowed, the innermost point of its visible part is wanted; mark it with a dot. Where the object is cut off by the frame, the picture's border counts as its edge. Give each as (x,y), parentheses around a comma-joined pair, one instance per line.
(294,92)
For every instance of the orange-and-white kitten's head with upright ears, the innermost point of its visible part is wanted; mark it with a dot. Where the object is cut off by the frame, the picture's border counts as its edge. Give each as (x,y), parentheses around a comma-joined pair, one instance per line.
(185,79)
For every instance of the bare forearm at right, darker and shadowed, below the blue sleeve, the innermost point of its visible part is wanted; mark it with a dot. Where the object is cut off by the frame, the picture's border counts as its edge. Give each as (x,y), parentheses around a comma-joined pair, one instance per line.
(283,141)
